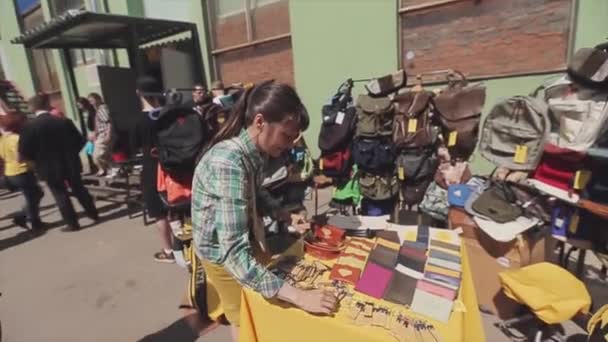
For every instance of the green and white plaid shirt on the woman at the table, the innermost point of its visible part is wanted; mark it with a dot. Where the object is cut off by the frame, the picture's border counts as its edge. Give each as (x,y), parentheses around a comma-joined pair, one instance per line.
(220,221)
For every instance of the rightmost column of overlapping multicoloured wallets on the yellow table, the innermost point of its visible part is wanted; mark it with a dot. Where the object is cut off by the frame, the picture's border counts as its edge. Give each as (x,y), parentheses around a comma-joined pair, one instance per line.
(437,289)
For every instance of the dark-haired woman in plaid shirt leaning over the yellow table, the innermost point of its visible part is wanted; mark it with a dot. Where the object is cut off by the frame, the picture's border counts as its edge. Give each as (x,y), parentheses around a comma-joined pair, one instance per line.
(227,187)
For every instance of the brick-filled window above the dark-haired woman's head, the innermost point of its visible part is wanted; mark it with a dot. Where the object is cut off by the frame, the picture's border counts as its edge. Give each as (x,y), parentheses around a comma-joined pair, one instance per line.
(265,61)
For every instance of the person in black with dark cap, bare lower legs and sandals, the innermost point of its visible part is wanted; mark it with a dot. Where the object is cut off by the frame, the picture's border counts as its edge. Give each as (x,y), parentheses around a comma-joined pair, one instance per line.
(150,92)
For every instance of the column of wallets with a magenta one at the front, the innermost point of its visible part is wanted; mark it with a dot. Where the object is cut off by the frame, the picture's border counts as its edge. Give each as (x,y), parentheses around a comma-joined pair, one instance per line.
(379,269)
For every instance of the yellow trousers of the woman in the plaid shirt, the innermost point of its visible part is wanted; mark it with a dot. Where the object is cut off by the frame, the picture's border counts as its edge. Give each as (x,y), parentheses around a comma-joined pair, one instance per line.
(228,289)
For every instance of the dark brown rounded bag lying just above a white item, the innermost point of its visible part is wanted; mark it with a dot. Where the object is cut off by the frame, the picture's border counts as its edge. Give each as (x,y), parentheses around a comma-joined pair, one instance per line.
(498,204)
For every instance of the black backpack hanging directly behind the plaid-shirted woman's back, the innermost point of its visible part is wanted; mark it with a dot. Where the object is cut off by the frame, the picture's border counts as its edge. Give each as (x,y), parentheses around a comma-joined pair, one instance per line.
(180,136)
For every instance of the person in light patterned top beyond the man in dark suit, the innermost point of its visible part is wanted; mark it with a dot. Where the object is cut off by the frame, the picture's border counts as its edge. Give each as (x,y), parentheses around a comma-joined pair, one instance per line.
(102,152)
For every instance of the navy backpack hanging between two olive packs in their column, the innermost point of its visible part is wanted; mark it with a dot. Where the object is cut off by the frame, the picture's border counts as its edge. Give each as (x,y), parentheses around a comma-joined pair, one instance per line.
(373,155)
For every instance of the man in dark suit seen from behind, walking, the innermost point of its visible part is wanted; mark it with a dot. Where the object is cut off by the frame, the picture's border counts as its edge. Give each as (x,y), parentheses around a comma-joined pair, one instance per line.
(53,144)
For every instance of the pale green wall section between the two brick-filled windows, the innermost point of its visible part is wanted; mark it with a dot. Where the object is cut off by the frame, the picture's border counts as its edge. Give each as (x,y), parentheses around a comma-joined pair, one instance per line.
(335,40)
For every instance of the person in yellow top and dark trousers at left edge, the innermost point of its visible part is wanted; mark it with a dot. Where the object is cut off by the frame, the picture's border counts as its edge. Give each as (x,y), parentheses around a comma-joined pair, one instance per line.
(19,174)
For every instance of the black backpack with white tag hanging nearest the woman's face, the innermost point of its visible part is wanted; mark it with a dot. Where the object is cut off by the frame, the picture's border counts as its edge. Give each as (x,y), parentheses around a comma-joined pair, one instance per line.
(339,120)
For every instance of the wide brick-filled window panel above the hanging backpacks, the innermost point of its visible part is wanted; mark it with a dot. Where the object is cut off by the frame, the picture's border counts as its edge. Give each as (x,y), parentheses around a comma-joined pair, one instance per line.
(488,38)
